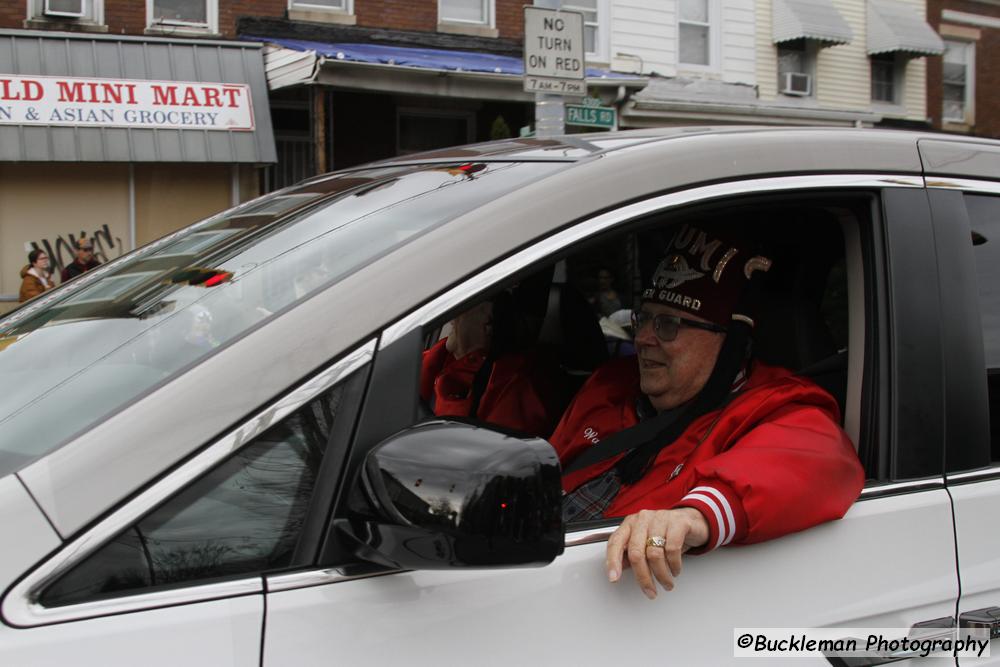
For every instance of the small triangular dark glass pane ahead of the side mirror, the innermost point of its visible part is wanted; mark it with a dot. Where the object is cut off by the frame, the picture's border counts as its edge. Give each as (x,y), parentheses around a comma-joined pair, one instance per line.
(243,517)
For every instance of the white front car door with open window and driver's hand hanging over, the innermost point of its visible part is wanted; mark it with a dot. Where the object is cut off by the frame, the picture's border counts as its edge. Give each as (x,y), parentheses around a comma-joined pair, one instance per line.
(888,563)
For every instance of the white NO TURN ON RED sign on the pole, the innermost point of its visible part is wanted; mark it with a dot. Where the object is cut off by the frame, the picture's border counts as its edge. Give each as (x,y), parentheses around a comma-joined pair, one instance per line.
(553,52)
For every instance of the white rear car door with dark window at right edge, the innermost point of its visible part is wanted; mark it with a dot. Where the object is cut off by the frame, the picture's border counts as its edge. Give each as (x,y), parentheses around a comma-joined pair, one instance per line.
(967,224)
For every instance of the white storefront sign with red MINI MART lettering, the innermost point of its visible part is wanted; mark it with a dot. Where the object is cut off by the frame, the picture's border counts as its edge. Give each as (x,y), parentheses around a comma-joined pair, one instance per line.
(80,102)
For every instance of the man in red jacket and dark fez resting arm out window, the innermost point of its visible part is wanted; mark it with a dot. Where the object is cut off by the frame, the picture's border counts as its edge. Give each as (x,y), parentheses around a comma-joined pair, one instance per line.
(725,449)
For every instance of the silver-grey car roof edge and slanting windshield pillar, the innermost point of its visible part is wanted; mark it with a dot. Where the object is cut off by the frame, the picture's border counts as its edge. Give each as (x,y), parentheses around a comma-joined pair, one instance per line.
(90,474)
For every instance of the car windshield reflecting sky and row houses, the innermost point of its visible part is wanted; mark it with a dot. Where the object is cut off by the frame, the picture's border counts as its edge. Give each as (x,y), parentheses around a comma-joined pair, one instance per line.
(83,351)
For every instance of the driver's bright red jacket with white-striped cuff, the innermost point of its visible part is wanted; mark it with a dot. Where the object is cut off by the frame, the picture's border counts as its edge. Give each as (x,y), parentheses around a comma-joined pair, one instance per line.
(773,462)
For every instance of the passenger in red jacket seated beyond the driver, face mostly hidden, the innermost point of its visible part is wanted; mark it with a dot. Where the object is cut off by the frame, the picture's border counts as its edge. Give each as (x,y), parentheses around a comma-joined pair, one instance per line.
(477,372)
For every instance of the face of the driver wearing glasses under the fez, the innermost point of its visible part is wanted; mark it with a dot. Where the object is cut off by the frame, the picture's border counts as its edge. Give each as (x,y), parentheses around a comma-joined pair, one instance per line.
(672,373)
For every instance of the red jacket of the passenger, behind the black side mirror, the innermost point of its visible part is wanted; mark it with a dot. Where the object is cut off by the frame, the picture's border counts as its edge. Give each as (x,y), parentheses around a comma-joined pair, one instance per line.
(518,394)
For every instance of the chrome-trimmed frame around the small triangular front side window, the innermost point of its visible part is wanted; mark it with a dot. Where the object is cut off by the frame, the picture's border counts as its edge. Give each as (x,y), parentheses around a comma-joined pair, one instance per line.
(20,605)
